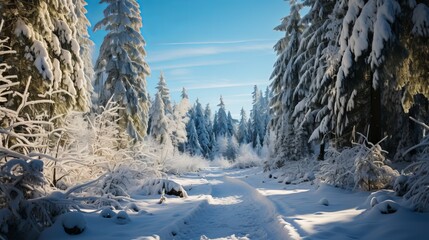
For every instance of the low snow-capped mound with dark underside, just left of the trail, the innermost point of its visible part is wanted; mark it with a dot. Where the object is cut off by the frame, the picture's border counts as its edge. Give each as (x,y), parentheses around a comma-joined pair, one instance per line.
(155,186)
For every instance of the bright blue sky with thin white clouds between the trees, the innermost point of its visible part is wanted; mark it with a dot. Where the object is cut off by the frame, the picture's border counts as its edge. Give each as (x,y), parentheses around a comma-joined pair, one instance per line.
(210,47)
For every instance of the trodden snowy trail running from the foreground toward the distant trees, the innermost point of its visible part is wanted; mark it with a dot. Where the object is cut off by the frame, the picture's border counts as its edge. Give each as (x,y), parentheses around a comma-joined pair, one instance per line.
(234,208)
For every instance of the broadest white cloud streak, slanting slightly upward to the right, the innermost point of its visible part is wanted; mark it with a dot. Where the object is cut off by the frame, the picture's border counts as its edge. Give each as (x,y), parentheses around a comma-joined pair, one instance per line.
(167,55)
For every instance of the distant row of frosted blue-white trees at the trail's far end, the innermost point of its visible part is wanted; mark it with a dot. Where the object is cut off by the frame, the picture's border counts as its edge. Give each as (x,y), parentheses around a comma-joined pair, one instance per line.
(195,130)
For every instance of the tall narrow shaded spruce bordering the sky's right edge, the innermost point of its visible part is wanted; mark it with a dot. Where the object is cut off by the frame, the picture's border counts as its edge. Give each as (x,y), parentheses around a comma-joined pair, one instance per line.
(290,144)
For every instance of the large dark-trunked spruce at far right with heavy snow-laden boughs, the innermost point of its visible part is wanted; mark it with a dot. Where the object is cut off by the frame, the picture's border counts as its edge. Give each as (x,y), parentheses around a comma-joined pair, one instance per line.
(373,64)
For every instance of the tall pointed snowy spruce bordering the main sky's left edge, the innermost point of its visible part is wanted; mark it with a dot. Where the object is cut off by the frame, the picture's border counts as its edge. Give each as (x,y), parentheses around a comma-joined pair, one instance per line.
(121,69)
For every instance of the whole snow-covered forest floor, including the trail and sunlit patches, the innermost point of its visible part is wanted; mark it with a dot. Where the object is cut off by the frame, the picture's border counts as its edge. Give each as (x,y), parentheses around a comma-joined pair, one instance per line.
(246,204)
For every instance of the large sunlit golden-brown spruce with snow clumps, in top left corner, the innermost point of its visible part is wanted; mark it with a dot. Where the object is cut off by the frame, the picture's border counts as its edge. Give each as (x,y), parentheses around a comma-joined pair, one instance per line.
(46,41)
